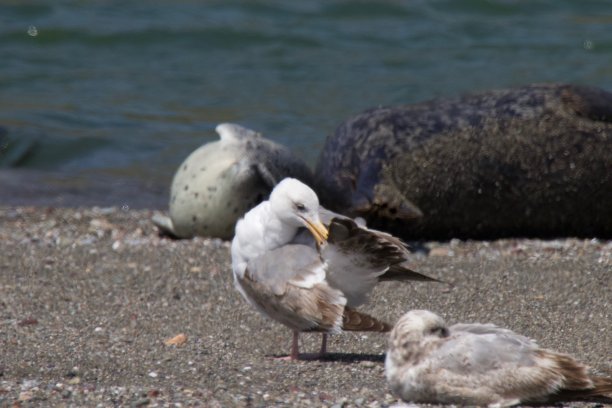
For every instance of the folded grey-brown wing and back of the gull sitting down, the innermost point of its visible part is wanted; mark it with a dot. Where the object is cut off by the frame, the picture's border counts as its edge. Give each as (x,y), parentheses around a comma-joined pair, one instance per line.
(476,360)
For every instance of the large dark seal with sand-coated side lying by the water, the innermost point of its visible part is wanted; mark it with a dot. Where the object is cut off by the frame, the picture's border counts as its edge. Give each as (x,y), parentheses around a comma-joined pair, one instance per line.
(533,161)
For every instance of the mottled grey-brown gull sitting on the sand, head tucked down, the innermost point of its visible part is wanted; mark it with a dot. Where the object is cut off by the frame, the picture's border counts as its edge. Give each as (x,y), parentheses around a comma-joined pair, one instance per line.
(481,364)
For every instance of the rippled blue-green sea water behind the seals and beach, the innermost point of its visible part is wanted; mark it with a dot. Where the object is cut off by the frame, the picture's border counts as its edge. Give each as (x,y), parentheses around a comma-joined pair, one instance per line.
(103,94)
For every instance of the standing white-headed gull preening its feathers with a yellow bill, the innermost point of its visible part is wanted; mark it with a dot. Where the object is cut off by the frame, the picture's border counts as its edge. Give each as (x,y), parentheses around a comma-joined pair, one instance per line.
(312,284)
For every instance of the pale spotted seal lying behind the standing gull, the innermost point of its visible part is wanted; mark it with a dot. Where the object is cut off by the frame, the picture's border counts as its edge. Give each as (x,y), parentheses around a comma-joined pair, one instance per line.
(222,180)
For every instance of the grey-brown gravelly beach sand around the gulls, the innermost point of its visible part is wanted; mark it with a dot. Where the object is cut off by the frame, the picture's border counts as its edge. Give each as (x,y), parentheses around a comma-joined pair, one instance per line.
(97,310)
